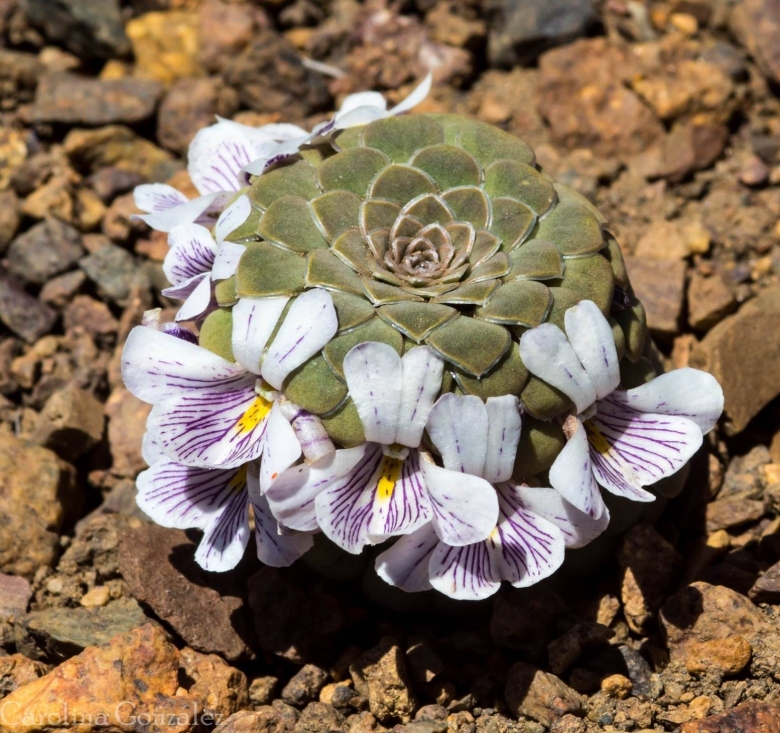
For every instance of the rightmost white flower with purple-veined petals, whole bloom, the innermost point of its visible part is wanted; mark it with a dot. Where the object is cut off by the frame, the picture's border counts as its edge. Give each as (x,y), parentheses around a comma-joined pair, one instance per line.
(623,440)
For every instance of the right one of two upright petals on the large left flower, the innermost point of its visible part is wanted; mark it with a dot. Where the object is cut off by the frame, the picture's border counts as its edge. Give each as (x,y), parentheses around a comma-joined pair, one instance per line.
(310,323)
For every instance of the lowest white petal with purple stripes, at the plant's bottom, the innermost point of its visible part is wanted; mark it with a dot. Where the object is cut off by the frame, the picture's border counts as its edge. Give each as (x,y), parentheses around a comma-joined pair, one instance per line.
(464,573)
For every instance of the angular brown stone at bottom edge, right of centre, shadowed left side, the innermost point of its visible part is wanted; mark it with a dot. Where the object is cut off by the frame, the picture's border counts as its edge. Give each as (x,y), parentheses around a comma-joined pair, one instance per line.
(539,695)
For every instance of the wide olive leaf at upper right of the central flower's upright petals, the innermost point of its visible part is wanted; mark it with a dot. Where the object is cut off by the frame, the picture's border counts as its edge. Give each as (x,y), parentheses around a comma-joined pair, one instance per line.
(471,345)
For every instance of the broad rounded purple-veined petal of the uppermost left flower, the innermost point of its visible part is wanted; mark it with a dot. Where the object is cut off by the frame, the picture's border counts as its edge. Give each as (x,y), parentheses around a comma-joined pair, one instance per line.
(217,156)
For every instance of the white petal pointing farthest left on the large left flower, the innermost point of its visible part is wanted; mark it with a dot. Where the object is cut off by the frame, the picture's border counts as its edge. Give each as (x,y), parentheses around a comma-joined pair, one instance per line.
(157,365)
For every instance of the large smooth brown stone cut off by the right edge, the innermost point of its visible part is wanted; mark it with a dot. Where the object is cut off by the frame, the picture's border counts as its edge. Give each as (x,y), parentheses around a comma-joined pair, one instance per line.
(743,353)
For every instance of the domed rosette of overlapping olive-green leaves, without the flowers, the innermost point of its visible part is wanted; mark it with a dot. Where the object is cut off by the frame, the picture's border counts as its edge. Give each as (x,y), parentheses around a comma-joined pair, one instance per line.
(438,230)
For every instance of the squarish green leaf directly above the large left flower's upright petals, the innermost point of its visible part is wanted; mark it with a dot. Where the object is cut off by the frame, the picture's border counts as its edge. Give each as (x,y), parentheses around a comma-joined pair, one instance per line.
(266,270)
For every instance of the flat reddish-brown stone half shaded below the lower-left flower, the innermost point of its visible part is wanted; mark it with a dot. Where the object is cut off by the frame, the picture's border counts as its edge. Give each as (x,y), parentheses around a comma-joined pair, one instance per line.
(159,568)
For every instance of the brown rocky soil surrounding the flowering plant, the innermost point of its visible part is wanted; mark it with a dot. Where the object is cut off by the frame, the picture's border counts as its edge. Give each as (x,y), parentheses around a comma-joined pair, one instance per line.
(666,113)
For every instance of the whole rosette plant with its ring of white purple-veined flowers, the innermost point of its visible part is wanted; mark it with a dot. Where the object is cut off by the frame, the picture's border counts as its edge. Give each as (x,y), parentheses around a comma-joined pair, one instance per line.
(390,351)
